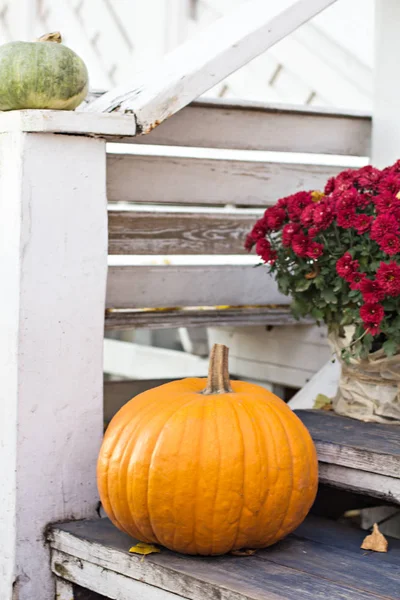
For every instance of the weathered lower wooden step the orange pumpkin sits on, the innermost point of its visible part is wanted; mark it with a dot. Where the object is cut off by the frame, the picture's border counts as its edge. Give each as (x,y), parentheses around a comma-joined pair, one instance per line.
(321,560)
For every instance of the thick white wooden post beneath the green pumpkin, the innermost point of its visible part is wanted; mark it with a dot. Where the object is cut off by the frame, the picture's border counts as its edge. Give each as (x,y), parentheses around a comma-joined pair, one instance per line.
(53,263)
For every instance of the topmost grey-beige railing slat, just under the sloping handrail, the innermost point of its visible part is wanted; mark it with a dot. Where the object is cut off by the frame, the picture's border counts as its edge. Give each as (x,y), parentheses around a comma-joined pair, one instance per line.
(255,126)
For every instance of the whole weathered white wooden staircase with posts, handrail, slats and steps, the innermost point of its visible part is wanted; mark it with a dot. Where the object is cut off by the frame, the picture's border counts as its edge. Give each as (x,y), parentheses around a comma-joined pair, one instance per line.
(54,235)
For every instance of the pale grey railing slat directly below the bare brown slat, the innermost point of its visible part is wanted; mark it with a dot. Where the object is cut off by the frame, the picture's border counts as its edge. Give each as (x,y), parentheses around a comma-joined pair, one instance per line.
(176,286)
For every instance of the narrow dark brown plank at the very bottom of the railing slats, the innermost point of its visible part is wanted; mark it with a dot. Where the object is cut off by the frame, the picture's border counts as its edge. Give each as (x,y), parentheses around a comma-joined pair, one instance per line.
(221,317)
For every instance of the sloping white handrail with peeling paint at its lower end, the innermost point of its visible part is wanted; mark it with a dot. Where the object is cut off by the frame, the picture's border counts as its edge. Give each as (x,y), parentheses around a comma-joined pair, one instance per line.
(196,66)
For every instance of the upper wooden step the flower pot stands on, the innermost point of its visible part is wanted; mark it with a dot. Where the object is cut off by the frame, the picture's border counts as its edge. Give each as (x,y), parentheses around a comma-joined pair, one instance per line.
(357,456)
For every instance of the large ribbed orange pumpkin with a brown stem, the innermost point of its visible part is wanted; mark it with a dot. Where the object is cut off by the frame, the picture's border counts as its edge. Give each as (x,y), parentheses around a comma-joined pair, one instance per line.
(207,470)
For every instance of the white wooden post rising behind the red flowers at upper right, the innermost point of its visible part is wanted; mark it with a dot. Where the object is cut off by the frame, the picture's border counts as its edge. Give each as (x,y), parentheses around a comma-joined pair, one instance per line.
(386,121)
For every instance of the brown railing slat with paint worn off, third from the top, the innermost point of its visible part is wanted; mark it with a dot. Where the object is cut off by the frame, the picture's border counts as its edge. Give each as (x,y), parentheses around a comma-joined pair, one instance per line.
(177,233)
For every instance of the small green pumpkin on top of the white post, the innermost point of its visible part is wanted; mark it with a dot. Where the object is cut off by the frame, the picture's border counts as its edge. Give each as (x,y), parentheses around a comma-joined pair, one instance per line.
(42,74)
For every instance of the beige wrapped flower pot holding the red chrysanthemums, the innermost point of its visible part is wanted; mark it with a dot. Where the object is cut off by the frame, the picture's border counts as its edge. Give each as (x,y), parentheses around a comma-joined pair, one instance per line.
(369,389)
